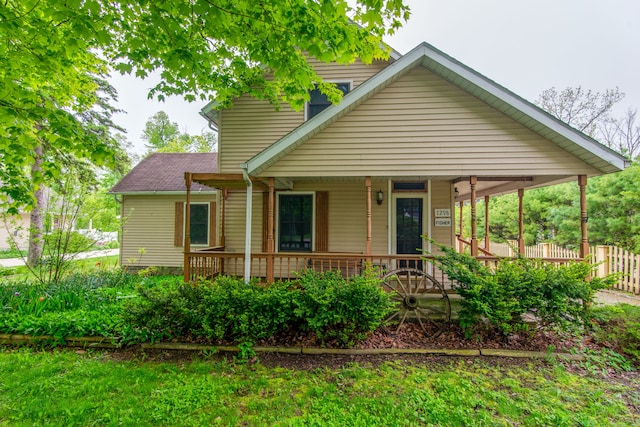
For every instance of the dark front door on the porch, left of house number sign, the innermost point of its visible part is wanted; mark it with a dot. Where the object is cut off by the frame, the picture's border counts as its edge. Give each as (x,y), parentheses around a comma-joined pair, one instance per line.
(409,228)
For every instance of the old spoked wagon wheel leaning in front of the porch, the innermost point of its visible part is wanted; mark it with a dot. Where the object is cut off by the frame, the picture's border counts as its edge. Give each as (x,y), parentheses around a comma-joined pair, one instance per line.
(419,297)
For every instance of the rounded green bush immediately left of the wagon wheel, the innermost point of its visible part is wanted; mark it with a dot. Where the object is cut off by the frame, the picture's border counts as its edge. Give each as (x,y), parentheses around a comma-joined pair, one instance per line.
(347,310)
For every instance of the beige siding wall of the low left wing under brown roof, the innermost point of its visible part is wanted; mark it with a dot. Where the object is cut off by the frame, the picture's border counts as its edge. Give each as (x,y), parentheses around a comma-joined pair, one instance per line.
(148,222)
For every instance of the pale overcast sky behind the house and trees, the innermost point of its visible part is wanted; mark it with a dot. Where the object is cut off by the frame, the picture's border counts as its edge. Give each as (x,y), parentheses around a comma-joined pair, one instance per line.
(525,46)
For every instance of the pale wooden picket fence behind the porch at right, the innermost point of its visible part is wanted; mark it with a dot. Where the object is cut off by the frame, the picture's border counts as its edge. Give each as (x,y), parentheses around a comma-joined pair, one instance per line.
(609,260)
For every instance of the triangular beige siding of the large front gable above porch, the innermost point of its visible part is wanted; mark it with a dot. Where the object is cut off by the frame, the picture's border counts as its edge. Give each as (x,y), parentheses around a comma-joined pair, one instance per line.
(422,125)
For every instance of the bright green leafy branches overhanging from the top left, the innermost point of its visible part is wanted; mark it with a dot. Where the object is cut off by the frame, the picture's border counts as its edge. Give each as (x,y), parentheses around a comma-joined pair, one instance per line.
(204,49)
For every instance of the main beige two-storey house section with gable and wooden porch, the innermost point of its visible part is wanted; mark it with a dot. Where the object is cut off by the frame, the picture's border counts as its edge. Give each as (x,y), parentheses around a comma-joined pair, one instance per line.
(364,180)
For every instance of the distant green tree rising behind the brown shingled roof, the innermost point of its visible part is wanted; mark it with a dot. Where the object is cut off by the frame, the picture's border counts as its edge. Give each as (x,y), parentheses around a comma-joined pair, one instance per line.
(163,135)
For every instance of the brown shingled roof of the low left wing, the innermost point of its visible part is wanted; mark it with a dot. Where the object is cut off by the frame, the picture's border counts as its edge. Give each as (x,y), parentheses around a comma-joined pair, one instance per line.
(164,172)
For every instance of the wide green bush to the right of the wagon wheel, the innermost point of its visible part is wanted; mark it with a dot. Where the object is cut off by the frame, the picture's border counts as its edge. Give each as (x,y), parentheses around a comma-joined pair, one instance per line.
(558,296)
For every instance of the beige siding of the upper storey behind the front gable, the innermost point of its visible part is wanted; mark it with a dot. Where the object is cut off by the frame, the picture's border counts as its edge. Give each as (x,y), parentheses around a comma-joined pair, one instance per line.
(251,125)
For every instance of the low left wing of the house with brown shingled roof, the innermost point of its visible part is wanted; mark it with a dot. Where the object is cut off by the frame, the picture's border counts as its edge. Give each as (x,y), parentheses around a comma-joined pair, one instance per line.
(152,200)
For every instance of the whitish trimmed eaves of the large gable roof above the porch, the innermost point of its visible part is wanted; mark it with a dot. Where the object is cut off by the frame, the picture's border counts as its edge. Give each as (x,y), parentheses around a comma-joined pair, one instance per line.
(527,114)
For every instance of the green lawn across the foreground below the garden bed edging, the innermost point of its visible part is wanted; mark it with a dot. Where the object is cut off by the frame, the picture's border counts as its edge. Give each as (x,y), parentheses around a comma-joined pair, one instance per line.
(64,388)
